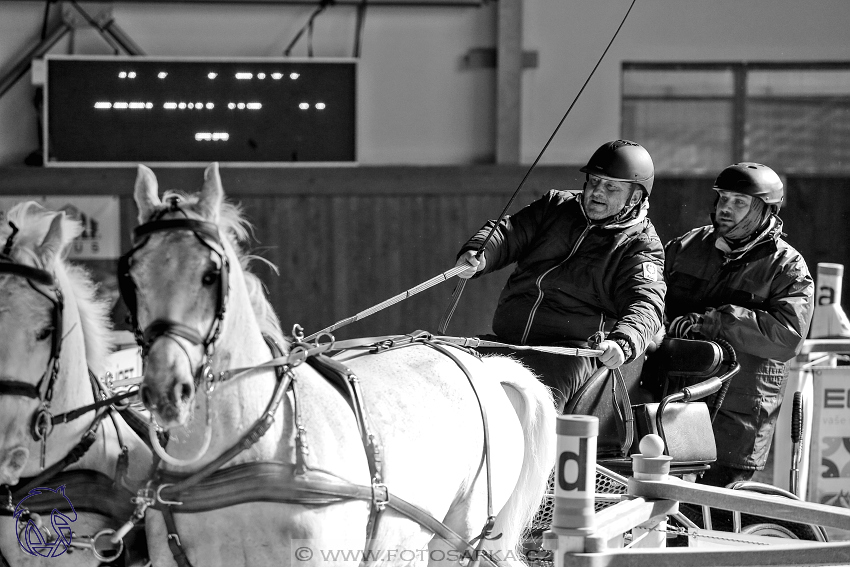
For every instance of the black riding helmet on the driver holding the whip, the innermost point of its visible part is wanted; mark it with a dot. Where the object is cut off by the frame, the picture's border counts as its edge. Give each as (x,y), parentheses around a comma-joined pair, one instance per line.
(622,160)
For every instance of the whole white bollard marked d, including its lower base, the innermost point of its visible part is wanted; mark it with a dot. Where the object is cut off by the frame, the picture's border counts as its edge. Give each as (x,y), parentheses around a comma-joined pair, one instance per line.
(573,516)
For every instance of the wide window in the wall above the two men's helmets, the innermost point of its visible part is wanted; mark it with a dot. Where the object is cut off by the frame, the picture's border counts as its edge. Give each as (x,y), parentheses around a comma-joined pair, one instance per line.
(700,117)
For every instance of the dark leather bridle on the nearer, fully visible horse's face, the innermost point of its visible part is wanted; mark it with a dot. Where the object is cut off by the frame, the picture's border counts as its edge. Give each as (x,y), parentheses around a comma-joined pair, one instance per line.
(208,234)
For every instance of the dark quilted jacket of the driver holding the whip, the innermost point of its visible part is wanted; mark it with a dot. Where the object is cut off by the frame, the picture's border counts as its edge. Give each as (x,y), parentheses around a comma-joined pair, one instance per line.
(574,277)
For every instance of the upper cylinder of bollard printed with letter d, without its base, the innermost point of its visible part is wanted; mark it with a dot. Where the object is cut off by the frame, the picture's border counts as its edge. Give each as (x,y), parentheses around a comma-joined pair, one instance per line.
(575,473)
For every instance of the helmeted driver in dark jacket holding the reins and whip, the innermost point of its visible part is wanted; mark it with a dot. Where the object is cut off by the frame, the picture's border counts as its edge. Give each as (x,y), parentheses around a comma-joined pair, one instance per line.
(586,261)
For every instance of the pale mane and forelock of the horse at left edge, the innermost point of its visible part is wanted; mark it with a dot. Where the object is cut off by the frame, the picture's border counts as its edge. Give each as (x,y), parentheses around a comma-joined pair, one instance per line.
(33,222)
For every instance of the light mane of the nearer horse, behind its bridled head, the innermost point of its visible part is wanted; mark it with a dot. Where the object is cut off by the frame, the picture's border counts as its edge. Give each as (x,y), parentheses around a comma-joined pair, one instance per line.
(239,231)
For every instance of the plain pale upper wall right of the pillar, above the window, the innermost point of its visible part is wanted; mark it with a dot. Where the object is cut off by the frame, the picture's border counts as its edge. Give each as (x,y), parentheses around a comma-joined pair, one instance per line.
(572,34)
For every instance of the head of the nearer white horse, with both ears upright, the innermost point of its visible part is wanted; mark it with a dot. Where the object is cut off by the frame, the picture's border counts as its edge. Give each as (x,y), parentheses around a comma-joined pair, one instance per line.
(175,280)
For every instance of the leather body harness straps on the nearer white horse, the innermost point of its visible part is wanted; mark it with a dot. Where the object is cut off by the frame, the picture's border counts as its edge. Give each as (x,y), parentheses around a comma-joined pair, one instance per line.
(213,488)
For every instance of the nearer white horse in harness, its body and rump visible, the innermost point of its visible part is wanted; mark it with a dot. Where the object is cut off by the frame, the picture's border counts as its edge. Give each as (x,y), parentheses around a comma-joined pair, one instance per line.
(202,314)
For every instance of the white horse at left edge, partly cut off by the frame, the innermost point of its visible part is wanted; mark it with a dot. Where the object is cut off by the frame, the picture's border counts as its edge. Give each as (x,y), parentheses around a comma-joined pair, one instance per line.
(52,331)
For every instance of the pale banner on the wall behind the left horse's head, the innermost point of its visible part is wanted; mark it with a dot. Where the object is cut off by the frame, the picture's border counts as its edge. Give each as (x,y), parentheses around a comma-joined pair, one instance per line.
(99,215)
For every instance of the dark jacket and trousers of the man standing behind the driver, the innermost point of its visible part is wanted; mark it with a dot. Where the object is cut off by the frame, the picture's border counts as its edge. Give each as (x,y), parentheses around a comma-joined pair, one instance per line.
(760,299)
